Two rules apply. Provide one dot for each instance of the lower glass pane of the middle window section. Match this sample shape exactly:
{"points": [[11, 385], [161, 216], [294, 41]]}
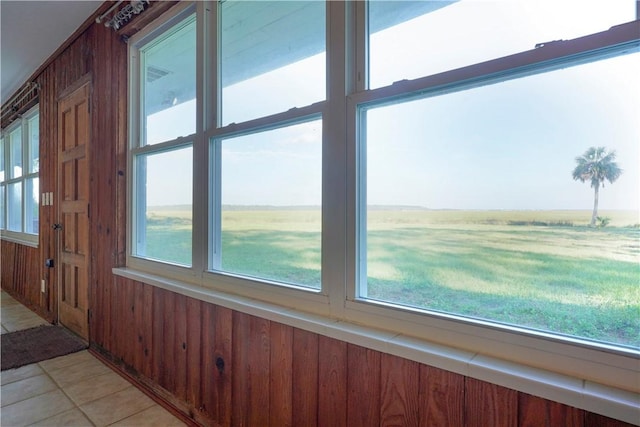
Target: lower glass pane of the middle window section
{"points": [[270, 196]]}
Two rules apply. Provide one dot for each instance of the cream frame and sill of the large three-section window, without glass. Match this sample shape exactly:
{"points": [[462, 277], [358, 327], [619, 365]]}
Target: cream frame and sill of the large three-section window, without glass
{"points": [[597, 377]]}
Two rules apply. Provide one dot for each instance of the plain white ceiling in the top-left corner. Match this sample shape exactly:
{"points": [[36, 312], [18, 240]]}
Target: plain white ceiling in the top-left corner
{"points": [[30, 31]]}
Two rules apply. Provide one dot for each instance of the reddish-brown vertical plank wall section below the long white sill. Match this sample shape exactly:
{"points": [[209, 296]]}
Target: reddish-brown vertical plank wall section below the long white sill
{"points": [[223, 367]]}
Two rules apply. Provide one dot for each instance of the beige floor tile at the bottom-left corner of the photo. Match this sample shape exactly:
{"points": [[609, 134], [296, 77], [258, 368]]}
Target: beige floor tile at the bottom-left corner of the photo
{"points": [[35, 409]]}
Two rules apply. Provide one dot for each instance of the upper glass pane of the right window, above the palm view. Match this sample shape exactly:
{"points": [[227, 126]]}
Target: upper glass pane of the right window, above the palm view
{"points": [[454, 34]]}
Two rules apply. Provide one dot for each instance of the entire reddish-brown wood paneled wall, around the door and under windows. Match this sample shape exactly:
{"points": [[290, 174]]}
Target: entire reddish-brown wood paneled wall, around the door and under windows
{"points": [[216, 365]]}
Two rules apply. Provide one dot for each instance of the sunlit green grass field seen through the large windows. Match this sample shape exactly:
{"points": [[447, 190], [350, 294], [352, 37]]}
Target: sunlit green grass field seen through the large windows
{"points": [[542, 269]]}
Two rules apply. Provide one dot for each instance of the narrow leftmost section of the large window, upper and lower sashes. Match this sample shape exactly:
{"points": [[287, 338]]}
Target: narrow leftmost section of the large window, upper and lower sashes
{"points": [[162, 153]]}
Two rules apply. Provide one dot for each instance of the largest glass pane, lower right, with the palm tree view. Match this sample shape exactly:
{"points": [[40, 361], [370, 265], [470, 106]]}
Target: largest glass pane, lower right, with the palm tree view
{"points": [[475, 207]]}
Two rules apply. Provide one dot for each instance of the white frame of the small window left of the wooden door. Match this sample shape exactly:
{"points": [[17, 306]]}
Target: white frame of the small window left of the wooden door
{"points": [[22, 237]]}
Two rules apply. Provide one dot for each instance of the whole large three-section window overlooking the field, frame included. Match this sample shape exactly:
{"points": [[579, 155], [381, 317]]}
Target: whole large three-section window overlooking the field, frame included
{"points": [[312, 155]]}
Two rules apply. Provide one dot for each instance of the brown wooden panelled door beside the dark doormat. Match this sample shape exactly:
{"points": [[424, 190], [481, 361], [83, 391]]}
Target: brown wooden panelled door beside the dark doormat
{"points": [[73, 210]]}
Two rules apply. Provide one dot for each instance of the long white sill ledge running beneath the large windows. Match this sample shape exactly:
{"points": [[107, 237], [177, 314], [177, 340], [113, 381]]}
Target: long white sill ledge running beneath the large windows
{"points": [[572, 391]]}
